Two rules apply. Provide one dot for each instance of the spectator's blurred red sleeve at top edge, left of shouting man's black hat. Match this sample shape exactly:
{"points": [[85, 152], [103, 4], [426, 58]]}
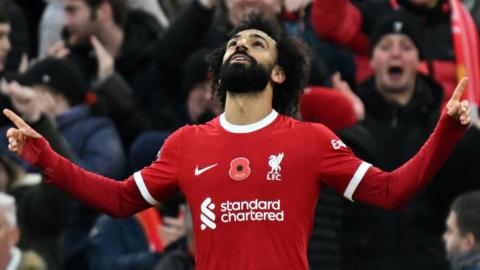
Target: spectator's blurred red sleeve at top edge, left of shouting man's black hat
{"points": [[341, 22]]}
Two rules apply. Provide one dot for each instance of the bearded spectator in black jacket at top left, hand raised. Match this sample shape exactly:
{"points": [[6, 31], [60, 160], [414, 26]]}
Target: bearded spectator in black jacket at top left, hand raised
{"points": [[129, 36]]}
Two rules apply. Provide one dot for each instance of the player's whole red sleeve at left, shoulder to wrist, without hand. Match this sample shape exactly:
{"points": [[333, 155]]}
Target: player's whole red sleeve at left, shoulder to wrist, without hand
{"points": [[116, 198]]}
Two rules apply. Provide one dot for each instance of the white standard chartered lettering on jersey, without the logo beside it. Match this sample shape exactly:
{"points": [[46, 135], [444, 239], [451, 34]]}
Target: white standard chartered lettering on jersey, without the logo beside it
{"points": [[254, 210]]}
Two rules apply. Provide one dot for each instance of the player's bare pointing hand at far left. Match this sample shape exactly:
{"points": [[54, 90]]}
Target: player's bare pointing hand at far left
{"points": [[18, 135]]}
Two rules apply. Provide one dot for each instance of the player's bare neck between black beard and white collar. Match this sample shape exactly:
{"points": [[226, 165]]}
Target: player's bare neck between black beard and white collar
{"points": [[245, 109]]}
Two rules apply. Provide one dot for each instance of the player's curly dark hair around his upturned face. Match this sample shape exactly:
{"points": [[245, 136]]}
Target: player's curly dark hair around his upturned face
{"points": [[293, 57]]}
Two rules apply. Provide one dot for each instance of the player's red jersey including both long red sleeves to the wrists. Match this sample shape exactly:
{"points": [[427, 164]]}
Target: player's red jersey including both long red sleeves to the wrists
{"points": [[251, 189]]}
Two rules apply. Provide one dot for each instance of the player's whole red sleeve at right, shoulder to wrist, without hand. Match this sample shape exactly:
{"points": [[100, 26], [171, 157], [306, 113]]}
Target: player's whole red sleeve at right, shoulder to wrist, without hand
{"points": [[360, 181]]}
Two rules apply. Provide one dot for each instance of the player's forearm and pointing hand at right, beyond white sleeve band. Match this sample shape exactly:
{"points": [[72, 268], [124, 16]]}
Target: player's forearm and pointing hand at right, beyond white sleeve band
{"points": [[394, 189]]}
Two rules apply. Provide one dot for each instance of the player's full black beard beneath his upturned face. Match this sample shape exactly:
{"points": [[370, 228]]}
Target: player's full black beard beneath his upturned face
{"points": [[241, 78]]}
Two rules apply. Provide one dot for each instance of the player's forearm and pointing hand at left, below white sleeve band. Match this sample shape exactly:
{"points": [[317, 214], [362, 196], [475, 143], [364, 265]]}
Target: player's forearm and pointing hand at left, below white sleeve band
{"points": [[116, 198]]}
